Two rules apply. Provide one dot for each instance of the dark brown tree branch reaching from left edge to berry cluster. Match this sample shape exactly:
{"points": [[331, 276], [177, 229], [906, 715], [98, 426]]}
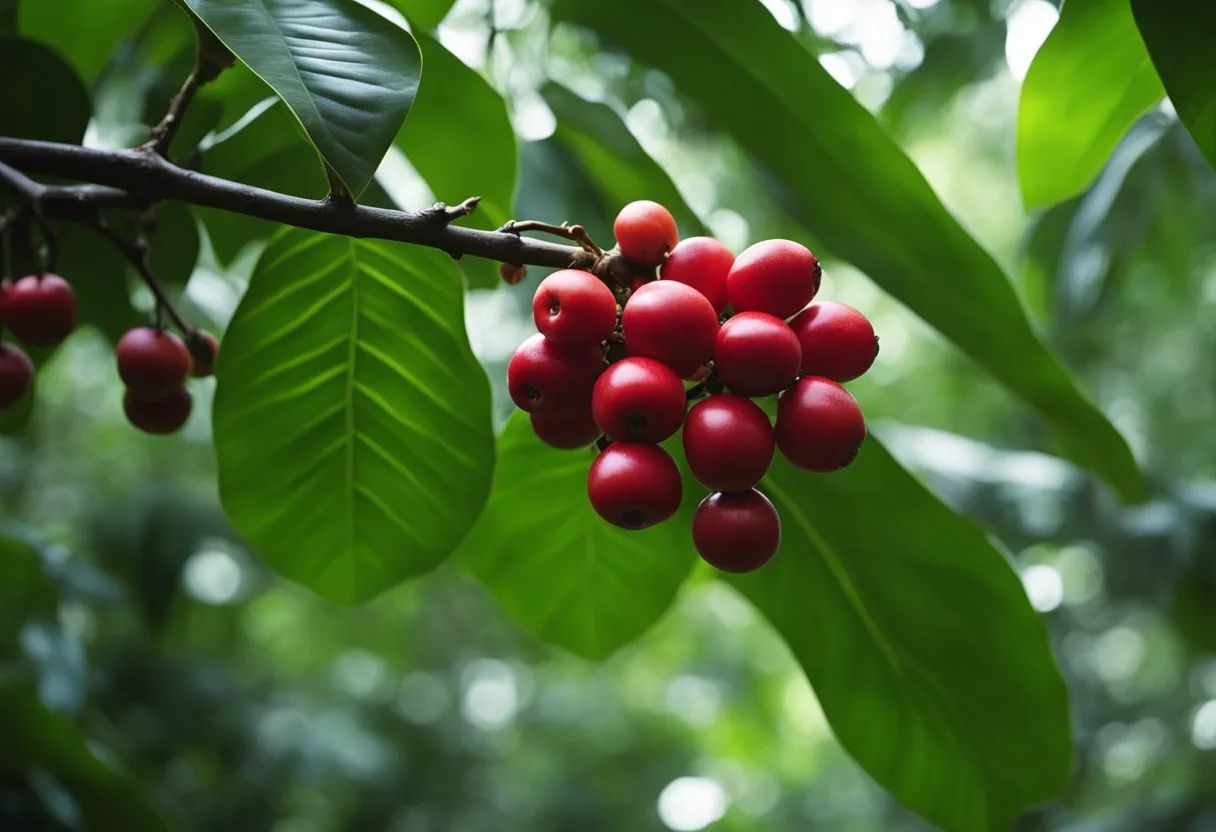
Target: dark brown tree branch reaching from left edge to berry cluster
{"points": [[140, 178]]}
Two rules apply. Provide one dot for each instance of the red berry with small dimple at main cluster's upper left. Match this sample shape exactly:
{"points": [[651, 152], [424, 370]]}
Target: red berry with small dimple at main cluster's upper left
{"points": [[575, 308]]}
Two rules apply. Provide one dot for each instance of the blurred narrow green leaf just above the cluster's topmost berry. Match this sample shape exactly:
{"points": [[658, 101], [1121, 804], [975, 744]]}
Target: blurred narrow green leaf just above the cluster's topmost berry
{"points": [[612, 159]]}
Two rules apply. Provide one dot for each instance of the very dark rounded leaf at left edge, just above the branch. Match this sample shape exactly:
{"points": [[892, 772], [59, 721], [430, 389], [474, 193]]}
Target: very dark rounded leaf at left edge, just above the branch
{"points": [[35, 75]]}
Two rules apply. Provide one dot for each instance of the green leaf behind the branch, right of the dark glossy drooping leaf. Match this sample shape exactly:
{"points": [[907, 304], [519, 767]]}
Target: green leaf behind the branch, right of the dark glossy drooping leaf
{"points": [[460, 140]]}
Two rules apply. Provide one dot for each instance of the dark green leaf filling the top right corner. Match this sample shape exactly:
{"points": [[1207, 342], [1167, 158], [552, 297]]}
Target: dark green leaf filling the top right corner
{"points": [[1179, 35]]}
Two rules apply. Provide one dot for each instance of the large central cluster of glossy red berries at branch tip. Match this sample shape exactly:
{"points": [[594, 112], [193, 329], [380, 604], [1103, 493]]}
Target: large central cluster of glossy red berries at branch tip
{"points": [[741, 328]]}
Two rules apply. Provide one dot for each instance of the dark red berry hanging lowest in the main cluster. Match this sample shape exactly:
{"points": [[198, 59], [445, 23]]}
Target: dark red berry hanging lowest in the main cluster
{"points": [[736, 532]]}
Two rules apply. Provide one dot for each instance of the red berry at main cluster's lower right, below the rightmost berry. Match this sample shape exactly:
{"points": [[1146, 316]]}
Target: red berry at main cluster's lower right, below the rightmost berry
{"points": [[820, 426]]}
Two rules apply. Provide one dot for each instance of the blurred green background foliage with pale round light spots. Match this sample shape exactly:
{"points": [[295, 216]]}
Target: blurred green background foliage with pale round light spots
{"points": [[234, 701]]}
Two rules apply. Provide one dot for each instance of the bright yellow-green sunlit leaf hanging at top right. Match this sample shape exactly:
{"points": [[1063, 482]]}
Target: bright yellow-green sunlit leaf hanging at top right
{"points": [[1089, 83]]}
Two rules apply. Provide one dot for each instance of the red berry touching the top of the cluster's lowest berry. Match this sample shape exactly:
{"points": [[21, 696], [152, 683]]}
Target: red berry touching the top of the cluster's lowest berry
{"points": [[729, 442]]}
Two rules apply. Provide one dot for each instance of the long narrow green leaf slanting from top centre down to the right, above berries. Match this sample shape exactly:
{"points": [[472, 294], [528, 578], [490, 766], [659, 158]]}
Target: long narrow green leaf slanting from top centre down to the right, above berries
{"points": [[860, 195]]}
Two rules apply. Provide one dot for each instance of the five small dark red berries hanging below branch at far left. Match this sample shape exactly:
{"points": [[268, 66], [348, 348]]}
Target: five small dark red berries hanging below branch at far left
{"points": [[41, 311]]}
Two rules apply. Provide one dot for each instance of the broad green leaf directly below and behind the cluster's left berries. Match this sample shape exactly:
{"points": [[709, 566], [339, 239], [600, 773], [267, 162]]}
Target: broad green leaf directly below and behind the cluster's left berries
{"points": [[559, 569]]}
